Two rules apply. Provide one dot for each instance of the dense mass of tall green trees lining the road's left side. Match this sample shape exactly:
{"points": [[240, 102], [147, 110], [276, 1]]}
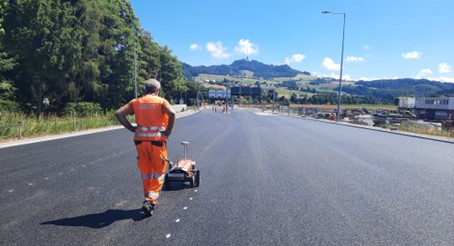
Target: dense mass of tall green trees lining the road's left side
{"points": [[62, 52]]}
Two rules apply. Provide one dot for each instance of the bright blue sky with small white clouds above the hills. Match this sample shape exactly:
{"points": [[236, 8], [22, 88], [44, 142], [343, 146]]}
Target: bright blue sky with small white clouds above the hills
{"points": [[383, 39]]}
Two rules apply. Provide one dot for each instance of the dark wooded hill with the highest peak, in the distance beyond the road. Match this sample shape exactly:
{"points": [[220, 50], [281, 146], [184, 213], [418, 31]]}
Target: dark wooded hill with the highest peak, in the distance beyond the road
{"points": [[238, 68]]}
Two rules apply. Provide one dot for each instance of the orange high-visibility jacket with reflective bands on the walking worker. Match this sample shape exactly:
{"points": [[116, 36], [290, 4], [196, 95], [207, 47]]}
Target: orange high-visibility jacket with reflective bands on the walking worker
{"points": [[150, 117]]}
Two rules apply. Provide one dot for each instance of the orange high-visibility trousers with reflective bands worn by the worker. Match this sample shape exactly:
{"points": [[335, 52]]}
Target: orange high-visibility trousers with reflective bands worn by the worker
{"points": [[152, 164]]}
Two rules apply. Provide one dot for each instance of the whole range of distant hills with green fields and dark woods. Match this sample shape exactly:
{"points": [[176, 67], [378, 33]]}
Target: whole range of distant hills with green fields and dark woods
{"points": [[302, 86]]}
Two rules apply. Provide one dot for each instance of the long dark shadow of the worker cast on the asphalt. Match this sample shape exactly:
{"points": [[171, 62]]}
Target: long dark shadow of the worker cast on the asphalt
{"points": [[99, 220]]}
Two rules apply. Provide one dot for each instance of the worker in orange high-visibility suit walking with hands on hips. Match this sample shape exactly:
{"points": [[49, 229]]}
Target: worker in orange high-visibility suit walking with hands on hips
{"points": [[155, 119]]}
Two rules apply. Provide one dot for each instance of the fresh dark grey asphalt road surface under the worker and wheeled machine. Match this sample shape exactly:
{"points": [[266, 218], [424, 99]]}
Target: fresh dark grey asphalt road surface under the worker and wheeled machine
{"points": [[265, 180]]}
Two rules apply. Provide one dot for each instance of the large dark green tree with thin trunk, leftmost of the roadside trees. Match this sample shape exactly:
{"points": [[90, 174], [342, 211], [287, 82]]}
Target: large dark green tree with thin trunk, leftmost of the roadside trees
{"points": [[46, 37]]}
